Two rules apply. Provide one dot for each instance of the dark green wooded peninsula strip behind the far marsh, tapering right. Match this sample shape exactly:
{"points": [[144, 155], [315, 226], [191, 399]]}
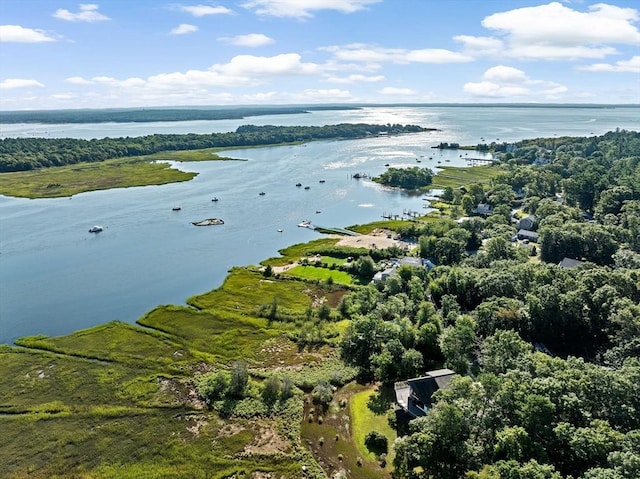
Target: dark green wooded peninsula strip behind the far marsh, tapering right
{"points": [[22, 154]]}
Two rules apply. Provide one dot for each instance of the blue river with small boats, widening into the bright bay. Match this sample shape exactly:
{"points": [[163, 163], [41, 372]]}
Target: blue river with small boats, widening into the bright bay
{"points": [[56, 277]]}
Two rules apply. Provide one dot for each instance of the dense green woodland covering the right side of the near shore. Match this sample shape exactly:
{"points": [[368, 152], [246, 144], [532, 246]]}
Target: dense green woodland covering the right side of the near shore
{"points": [[548, 356]]}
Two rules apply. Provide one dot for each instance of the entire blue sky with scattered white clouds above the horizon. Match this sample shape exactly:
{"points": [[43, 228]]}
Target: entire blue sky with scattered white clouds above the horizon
{"points": [[124, 53]]}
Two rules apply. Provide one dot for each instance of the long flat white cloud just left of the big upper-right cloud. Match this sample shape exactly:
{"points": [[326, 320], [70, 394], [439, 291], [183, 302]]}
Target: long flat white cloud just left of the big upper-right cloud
{"points": [[373, 54]]}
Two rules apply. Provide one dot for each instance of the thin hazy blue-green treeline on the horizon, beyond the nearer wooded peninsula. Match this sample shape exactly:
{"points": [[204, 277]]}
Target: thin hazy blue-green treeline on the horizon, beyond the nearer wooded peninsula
{"points": [[126, 115]]}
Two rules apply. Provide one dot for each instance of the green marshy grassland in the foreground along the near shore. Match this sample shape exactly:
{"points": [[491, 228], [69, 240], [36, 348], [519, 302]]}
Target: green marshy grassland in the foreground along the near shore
{"points": [[120, 400]]}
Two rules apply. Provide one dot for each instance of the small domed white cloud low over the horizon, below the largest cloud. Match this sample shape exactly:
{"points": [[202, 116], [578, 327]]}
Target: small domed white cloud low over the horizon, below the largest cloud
{"points": [[508, 82]]}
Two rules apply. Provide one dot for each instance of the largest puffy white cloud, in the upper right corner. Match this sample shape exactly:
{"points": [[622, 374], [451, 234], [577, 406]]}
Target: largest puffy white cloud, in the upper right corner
{"points": [[555, 31]]}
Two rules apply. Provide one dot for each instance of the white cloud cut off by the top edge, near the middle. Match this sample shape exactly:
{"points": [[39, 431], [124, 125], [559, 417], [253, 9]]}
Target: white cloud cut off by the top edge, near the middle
{"points": [[304, 8]]}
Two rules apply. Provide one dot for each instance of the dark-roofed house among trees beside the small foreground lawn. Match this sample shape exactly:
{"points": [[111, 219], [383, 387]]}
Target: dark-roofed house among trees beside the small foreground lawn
{"points": [[414, 396]]}
